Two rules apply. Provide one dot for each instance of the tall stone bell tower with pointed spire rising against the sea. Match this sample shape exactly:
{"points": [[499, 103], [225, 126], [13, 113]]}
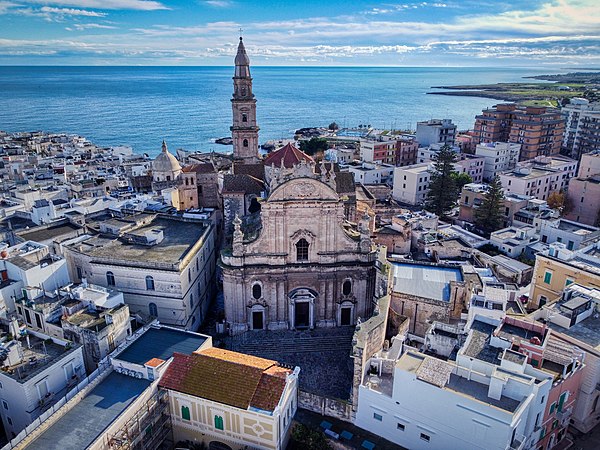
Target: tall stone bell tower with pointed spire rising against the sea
{"points": [[244, 130]]}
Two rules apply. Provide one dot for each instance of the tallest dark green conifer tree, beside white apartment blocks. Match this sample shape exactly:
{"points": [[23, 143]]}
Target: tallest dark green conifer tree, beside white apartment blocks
{"points": [[443, 192]]}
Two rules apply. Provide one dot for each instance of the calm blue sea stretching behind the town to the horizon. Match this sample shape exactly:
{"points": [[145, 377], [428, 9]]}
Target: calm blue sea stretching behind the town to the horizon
{"points": [[190, 106]]}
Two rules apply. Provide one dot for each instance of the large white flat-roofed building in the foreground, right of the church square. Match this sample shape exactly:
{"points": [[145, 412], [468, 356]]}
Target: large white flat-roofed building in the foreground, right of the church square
{"points": [[421, 402]]}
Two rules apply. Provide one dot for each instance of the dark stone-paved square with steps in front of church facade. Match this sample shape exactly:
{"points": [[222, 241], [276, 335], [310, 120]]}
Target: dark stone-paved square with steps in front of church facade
{"points": [[323, 356]]}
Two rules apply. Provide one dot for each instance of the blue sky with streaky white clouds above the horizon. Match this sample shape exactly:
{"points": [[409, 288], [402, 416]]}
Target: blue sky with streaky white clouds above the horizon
{"points": [[530, 33]]}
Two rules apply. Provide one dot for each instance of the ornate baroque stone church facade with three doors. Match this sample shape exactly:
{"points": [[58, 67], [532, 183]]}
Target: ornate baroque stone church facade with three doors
{"points": [[306, 268]]}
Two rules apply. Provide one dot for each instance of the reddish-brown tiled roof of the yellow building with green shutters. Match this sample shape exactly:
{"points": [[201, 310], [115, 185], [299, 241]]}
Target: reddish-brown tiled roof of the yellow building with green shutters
{"points": [[231, 378]]}
